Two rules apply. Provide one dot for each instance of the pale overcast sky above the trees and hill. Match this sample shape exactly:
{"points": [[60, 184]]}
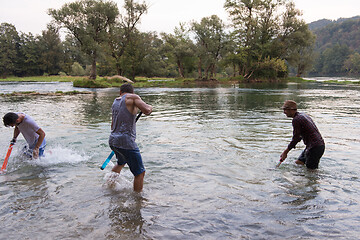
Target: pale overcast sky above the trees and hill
{"points": [[165, 15]]}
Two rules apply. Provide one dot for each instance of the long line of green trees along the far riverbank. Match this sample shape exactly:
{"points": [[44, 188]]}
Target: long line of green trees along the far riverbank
{"points": [[265, 38]]}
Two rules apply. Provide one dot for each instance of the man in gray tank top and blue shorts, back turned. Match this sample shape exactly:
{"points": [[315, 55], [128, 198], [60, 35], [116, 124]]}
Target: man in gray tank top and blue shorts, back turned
{"points": [[123, 133]]}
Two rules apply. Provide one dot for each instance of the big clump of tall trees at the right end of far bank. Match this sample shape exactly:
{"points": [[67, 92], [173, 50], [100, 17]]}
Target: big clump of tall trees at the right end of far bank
{"points": [[262, 33]]}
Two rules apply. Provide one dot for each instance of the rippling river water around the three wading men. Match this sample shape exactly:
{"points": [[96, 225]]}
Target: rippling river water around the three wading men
{"points": [[210, 155]]}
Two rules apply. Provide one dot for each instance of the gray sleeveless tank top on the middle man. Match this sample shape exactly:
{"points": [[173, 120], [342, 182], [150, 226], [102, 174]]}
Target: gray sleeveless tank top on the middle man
{"points": [[123, 132]]}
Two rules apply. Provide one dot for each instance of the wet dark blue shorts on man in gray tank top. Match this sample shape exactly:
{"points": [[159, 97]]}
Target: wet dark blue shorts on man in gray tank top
{"points": [[131, 157]]}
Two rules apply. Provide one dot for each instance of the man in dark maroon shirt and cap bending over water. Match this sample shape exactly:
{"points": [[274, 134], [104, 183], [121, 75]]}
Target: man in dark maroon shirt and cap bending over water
{"points": [[304, 129]]}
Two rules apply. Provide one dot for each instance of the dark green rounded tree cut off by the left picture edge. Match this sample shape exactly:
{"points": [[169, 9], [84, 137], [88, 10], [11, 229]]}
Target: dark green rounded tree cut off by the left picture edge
{"points": [[9, 40]]}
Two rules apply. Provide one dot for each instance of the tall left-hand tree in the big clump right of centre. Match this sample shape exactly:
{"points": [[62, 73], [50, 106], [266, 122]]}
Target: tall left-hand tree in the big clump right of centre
{"points": [[255, 23]]}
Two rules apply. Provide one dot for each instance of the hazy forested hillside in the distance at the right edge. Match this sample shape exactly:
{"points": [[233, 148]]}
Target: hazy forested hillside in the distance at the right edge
{"points": [[337, 47]]}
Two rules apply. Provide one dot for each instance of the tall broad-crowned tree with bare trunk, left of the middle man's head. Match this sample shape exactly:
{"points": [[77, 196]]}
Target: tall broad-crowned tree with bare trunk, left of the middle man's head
{"points": [[89, 21]]}
